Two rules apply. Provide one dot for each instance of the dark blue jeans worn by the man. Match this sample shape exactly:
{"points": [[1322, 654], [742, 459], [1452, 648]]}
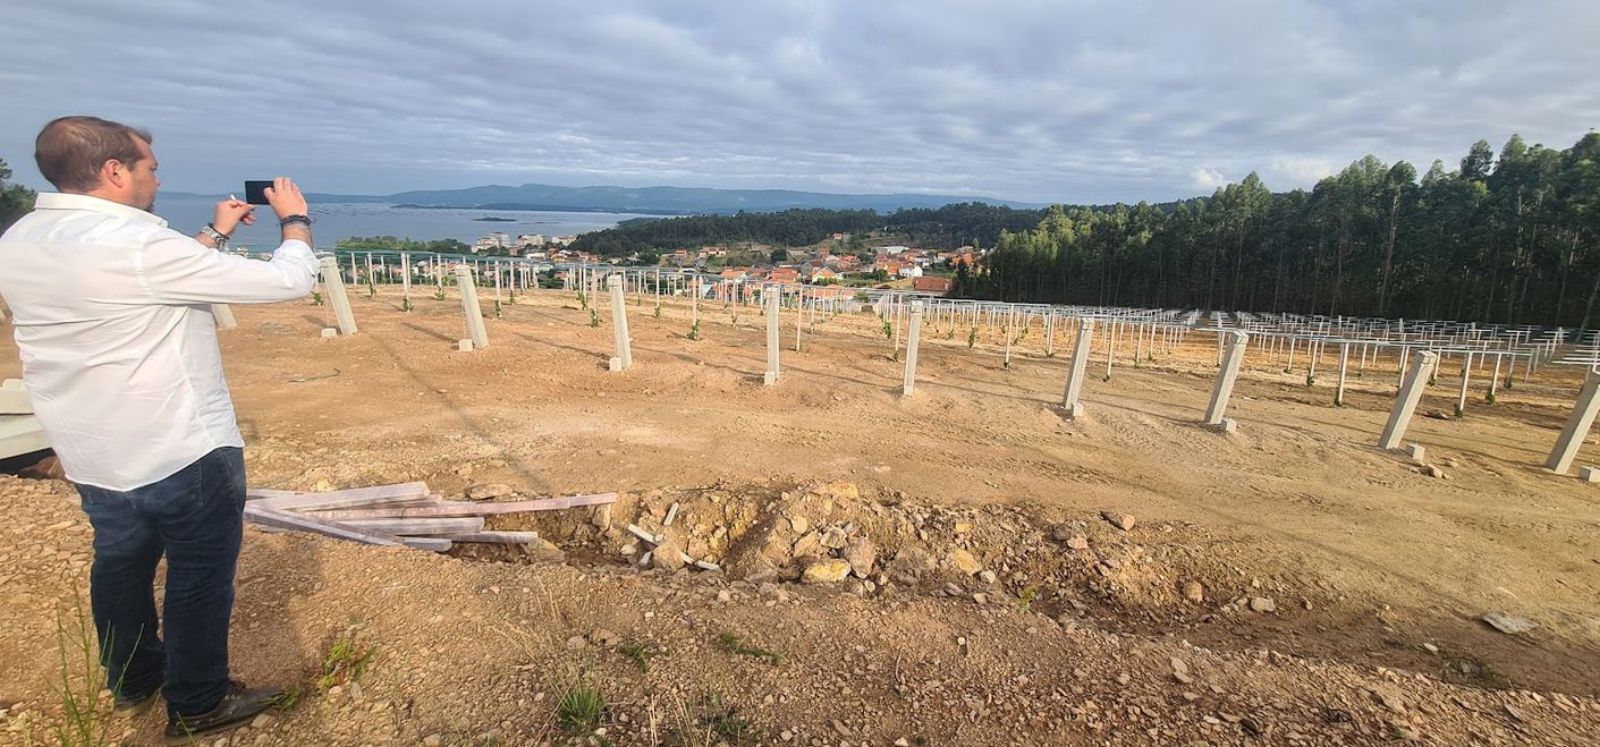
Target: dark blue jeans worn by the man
{"points": [[196, 519]]}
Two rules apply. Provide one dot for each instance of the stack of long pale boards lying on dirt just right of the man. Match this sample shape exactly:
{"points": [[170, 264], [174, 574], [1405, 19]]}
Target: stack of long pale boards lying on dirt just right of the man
{"points": [[407, 514]]}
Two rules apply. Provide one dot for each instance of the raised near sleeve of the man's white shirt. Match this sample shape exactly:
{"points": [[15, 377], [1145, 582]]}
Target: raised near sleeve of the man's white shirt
{"points": [[177, 270]]}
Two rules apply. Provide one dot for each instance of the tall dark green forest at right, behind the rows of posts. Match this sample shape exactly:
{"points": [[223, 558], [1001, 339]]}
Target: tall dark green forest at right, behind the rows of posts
{"points": [[1510, 239]]}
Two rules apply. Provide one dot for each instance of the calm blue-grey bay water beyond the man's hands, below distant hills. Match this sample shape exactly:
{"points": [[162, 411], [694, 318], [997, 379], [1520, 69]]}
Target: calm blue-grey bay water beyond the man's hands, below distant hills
{"points": [[337, 222]]}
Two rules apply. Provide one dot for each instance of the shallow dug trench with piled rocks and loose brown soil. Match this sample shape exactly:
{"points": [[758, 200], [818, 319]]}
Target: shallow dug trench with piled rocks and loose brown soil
{"points": [[1108, 572]]}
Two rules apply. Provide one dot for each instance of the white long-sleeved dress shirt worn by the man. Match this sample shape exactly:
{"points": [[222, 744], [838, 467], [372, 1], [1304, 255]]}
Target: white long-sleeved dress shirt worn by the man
{"points": [[118, 340]]}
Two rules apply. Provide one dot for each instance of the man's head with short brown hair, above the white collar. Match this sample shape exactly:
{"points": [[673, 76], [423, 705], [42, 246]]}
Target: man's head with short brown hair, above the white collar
{"points": [[71, 151]]}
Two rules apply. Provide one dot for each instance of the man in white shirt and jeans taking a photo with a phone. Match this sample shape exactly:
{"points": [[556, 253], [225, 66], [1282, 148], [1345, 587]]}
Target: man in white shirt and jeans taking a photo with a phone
{"points": [[121, 359]]}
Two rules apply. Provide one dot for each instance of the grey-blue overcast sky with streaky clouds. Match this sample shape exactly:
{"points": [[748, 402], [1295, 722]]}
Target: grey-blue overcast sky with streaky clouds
{"points": [[1041, 102]]}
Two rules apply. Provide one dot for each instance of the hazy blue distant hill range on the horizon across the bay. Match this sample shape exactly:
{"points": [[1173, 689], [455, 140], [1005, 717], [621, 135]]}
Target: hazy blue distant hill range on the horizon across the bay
{"points": [[654, 201]]}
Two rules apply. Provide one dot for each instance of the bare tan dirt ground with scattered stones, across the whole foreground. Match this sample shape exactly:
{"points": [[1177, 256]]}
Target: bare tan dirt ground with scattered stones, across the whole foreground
{"points": [[1286, 585]]}
